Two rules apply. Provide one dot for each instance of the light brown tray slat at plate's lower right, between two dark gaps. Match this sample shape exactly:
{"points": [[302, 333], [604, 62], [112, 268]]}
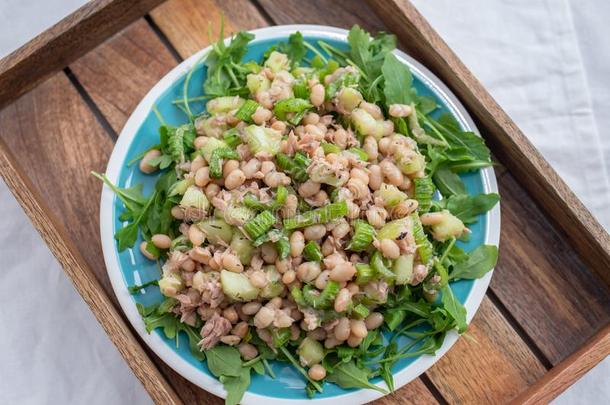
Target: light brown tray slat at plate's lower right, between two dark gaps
{"points": [[489, 365]]}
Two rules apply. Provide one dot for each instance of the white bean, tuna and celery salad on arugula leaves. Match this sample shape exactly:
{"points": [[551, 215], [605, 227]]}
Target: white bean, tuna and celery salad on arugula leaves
{"points": [[309, 215]]}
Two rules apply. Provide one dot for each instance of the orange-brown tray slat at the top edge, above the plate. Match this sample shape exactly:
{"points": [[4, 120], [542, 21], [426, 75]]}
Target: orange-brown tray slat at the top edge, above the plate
{"points": [[187, 23]]}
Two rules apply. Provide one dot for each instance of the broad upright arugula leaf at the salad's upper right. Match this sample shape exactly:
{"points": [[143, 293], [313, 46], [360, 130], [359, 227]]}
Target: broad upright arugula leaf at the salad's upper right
{"points": [[397, 81]]}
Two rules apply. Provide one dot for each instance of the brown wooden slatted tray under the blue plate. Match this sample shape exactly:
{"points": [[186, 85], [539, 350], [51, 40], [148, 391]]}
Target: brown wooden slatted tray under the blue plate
{"points": [[545, 319]]}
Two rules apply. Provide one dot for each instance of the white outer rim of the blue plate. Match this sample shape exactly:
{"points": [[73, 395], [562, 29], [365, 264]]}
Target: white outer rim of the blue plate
{"points": [[181, 366]]}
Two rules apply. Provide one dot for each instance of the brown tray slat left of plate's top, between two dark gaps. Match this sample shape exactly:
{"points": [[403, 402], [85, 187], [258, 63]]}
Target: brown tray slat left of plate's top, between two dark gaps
{"points": [[118, 73]]}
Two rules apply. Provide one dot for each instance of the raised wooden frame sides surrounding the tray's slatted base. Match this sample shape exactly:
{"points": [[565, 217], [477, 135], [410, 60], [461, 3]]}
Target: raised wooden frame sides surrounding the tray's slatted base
{"points": [[100, 19]]}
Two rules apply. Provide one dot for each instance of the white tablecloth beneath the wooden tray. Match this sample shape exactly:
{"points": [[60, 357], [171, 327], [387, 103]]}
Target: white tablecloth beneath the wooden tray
{"points": [[545, 61]]}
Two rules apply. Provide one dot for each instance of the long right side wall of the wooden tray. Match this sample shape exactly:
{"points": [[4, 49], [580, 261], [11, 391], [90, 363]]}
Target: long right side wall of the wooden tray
{"points": [[511, 146]]}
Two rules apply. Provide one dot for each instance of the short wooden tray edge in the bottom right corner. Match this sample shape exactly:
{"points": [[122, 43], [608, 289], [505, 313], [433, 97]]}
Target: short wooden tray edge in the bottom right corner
{"points": [[568, 371]]}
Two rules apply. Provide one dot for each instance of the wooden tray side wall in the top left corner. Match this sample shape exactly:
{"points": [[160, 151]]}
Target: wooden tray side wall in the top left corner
{"points": [[64, 42]]}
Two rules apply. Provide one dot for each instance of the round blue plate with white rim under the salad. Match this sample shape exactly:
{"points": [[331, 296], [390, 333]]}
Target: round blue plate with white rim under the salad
{"points": [[130, 267]]}
